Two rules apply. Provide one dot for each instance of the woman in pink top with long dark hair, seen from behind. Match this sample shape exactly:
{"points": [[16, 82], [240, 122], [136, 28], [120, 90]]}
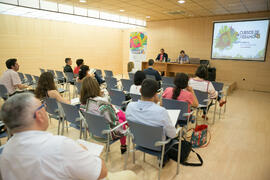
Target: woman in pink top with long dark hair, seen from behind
{"points": [[181, 91]]}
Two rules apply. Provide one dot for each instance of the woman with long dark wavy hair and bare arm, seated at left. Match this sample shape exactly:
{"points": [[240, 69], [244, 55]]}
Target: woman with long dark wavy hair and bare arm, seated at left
{"points": [[46, 88]]}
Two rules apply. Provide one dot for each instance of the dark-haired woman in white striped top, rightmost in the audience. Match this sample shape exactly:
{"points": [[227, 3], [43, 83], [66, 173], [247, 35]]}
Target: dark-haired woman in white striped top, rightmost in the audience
{"points": [[200, 83]]}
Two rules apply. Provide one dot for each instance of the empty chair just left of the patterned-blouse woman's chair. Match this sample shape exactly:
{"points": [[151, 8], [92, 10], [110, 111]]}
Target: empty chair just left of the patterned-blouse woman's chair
{"points": [[72, 114]]}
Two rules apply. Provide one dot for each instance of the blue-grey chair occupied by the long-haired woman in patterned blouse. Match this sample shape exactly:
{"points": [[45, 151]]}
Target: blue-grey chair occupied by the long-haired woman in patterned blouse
{"points": [[99, 131]]}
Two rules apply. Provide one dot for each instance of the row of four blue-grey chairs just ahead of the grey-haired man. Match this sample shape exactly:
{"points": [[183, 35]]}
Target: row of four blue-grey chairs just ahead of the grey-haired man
{"points": [[148, 139]]}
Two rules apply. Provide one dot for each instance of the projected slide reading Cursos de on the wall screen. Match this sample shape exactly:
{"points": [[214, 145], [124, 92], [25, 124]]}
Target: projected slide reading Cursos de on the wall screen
{"points": [[240, 40]]}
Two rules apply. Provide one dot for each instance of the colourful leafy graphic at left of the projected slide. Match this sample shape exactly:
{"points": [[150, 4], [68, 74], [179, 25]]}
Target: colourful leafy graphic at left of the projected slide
{"points": [[226, 37]]}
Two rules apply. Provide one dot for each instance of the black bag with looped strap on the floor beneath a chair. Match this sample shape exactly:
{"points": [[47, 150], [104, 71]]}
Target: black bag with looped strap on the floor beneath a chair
{"points": [[186, 148]]}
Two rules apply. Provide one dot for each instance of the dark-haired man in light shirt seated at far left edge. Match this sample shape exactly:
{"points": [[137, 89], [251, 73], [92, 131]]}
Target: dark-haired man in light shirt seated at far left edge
{"points": [[10, 77]]}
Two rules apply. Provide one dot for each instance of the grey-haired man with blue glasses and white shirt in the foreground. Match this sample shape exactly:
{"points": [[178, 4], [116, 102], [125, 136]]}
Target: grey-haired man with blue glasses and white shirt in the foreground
{"points": [[33, 153]]}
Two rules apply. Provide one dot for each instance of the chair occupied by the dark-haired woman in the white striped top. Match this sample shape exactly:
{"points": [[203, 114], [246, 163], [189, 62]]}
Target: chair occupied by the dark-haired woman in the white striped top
{"points": [[203, 101]]}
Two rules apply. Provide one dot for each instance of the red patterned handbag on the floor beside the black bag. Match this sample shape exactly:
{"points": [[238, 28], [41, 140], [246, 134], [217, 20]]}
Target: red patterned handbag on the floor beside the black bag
{"points": [[199, 136]]}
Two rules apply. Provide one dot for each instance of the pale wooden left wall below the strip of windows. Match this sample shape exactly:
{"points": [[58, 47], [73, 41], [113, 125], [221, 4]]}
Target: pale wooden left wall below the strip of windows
{"points": [[42, 43]]}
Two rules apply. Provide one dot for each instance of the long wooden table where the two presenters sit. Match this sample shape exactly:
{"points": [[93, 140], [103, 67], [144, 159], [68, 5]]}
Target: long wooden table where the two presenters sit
{"points": [[171, 69]]}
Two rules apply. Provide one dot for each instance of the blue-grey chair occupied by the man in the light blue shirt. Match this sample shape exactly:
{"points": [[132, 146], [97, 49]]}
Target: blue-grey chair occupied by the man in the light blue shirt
{"points": [[148, 139]]}
